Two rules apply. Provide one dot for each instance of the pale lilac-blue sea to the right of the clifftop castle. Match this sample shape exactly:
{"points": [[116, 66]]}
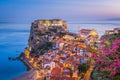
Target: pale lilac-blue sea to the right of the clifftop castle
{"points": [[100, 26]]}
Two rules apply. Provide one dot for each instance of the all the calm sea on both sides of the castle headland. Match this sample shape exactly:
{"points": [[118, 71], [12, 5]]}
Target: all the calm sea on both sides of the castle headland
{"points": [[14, 39]]}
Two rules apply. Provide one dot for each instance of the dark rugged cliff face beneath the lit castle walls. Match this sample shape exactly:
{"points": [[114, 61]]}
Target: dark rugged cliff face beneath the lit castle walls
{"points": [[41, 36]]}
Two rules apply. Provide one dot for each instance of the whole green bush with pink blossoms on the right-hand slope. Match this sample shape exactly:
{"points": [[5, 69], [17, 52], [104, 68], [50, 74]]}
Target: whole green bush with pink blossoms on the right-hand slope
{"points": [[108, 59]]}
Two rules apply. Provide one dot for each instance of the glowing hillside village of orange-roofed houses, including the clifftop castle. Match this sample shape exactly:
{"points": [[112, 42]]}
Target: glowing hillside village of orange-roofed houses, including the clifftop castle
{"points": [[66, 53]]}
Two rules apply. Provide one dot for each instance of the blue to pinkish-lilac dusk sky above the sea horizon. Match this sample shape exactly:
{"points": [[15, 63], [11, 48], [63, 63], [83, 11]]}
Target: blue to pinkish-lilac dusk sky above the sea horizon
{"points": [[28, 10]]}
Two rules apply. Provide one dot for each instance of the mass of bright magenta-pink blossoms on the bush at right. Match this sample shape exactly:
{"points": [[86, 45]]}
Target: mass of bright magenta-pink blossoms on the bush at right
{"points": [[109, 59]]}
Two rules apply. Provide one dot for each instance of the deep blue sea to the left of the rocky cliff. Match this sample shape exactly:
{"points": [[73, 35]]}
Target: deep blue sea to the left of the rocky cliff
{"points": [[13, 40]]}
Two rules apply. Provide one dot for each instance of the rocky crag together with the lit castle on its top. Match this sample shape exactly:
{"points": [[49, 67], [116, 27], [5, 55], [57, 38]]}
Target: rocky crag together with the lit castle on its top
{"points": [[43, 31]]}
